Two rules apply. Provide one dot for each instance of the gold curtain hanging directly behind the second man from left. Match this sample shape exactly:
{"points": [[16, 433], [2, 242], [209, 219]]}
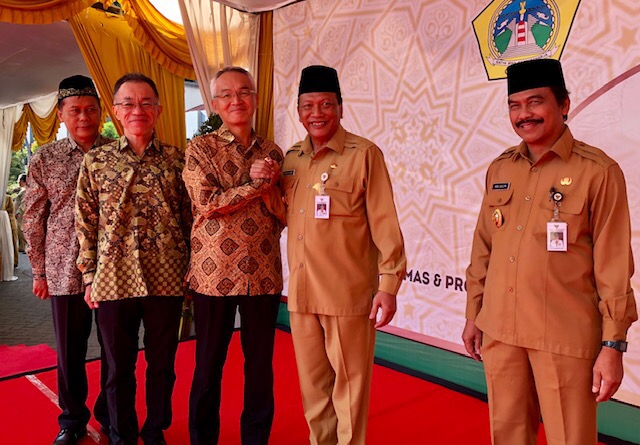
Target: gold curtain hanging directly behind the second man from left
{"points": [[110, 51]]}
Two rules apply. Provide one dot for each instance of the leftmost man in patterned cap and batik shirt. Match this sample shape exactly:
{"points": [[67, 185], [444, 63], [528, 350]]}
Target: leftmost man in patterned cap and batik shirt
{"points": [[52, 246]]}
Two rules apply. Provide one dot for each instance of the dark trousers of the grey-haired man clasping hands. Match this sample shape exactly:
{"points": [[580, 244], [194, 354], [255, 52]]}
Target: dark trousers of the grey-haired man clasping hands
{"points": [[214, 322]]}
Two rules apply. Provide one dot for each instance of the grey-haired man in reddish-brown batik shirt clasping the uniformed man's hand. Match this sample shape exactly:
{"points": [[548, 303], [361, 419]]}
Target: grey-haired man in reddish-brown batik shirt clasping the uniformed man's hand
{"points": [[235, 260]]}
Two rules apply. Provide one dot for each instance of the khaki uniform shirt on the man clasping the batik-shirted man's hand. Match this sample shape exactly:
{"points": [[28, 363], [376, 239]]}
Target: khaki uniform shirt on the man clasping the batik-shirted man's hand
{"points": [[338, 264]]}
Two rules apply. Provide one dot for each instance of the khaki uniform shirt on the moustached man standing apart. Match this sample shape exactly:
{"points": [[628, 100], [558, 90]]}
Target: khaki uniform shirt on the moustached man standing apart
{"points": [[562, 302]]}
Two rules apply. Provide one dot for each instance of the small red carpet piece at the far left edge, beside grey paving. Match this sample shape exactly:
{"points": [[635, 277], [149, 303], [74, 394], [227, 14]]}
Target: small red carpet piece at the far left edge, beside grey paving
{"points": [[21, 359]]}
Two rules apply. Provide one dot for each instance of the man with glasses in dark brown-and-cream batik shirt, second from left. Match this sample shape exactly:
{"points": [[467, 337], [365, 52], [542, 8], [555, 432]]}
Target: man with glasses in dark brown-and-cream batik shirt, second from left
{"points": [[133, 220]]}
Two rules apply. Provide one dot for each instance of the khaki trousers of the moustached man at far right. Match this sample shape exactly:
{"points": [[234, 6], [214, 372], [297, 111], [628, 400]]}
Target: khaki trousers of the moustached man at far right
{"points": [[524, 383]]}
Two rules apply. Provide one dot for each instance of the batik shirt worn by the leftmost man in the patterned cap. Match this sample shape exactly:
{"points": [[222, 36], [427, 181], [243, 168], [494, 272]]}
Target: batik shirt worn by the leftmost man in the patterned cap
{"points": [[48, 218]]}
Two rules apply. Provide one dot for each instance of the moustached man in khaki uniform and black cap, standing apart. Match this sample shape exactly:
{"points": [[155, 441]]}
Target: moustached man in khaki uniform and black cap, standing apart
{"points": [[550, 319]]}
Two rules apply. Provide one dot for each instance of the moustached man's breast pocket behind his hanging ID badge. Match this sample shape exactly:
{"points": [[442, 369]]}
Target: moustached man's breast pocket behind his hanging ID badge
{"points": [[572, 210]]}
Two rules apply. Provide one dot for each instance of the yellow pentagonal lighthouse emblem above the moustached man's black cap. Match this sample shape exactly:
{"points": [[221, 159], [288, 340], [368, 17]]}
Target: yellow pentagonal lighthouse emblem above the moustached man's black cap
{"points": [[510, 31]]}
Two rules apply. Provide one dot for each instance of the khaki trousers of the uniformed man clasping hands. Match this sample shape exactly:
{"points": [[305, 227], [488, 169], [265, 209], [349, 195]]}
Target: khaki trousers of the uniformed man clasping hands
{"points": [[334, 356]]}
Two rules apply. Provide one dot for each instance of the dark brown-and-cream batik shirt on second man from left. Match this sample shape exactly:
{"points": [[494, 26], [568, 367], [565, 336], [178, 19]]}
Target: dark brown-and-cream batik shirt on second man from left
{"points": [[133, 217]]}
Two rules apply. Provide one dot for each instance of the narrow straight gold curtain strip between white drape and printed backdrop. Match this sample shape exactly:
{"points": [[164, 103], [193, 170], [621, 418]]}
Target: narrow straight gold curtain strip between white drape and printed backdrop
{"points": [[264, 117]]}
